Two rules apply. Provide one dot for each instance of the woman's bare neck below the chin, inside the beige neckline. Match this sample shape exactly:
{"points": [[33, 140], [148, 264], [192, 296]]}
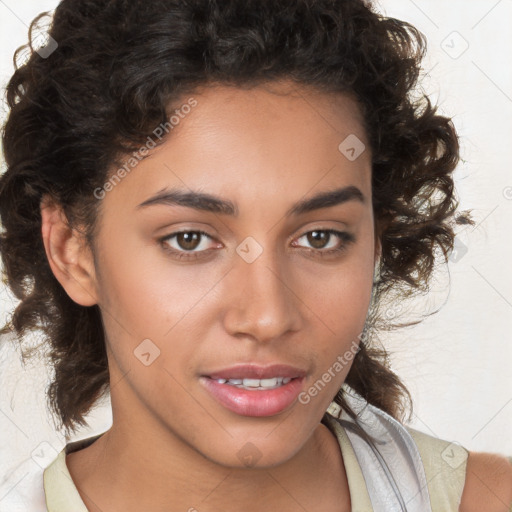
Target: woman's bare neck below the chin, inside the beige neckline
{"points": [[160, 473]]}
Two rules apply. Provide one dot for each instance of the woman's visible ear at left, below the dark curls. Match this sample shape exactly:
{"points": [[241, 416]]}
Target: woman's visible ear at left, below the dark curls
{"points": [[68, 254]]}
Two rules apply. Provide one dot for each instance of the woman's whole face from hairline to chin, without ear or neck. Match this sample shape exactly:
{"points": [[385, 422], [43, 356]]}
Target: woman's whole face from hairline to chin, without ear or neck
{"points": [[253, 279]]}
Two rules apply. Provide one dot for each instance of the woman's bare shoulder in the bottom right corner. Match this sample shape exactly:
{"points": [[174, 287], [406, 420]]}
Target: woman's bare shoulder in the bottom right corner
{"points": [[488, 484]]}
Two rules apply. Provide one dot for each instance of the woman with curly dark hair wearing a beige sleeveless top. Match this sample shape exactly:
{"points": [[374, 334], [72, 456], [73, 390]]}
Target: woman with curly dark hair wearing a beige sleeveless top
{"points": [[205, 202]]}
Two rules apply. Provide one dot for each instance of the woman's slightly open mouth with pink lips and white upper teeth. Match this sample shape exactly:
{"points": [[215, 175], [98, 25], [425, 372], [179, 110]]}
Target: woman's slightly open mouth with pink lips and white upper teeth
{"points": [[255, 391]]}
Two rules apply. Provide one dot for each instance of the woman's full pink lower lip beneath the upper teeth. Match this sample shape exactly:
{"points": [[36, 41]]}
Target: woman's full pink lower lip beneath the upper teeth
{"points": [[254, 403]]}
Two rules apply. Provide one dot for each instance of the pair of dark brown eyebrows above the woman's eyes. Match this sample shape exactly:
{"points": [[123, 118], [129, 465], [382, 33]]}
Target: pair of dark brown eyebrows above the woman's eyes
{"points": [[215, 204]]}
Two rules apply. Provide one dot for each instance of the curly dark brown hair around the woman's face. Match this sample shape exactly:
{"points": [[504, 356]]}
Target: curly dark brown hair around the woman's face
{"points": [[119, 66]]}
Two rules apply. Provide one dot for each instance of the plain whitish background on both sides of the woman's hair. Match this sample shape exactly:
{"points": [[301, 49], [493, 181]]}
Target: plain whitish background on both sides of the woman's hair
{"points": [[457, 363]]}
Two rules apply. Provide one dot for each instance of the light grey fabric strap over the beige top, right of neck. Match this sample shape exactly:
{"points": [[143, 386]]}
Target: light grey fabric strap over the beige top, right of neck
{"points": [[388, 457]]}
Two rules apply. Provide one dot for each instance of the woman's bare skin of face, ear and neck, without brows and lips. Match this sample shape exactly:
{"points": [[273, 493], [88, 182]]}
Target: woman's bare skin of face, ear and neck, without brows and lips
{"points": [[265, 151]]}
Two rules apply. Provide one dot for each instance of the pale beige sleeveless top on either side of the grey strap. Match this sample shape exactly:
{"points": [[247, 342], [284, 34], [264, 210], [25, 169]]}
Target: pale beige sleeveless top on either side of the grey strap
{"points": [[444, 463]]}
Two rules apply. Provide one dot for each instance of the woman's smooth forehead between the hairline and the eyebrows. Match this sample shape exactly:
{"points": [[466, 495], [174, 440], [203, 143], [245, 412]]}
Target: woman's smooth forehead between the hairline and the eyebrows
{"points": [[276, 140]]}
